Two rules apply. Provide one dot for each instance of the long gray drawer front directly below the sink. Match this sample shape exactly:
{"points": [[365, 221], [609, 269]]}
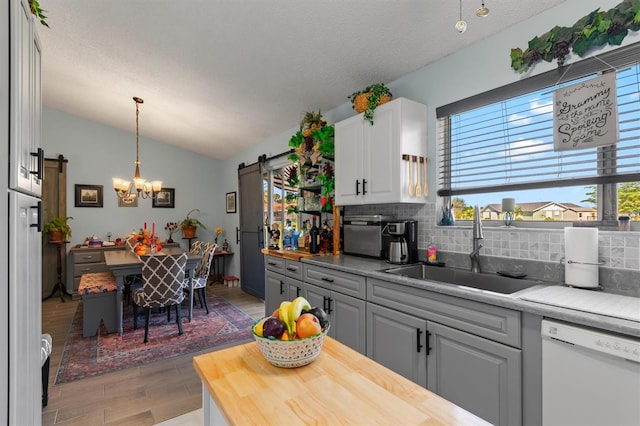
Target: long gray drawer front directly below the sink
{"points": [[493, 322]]}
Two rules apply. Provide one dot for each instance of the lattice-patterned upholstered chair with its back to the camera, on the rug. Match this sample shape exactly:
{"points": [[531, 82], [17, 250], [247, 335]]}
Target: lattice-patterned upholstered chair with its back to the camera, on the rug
{"points": [[163, 277]]}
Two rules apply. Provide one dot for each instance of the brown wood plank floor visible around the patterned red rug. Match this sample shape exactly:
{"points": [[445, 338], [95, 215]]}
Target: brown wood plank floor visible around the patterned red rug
{"points": [[143, 395]]}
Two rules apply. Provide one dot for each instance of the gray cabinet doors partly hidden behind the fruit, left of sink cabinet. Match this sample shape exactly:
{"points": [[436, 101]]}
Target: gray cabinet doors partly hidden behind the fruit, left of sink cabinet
{"points": [[346, 314]]}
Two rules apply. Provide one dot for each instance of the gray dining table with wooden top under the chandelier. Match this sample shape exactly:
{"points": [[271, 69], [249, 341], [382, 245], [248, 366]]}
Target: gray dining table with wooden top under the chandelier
{"points": [[124, 262]]}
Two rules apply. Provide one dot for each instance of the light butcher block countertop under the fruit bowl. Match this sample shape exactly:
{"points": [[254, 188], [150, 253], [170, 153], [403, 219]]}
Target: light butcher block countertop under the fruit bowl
{"points": [[340, 387]]}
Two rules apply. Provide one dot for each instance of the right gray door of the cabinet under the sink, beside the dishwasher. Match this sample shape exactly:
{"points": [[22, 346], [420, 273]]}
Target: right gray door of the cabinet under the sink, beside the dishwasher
{"points": [[477, 374]]}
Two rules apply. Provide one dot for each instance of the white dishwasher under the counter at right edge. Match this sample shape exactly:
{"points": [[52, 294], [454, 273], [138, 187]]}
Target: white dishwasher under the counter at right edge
{"points": [[589, 377]]}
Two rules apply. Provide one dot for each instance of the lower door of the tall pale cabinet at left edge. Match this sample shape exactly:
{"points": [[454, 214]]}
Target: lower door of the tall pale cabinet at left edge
{"points": [[25, 247]]}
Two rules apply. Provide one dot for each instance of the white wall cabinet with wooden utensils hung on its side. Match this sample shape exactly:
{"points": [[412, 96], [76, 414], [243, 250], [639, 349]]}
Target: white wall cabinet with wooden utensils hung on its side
{"points": [[369, 159]]}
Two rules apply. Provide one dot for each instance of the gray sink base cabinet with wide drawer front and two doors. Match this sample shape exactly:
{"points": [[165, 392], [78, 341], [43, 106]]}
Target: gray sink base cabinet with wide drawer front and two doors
{"points": [[465, 351]]}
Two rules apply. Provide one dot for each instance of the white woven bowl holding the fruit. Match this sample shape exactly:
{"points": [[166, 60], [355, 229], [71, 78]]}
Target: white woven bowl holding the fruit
{"points": [[290, 353]]}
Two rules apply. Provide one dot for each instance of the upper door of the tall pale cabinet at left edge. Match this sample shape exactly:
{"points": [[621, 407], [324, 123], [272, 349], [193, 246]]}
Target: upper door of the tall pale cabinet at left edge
{"points": [[25, 109]]}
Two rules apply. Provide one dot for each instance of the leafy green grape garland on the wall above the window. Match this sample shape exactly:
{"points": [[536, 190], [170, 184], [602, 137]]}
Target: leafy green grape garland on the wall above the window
{"points": [[596, 29]]}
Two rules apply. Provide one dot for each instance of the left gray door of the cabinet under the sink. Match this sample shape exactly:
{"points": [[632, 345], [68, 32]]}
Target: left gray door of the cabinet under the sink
{"points": [[398, 341]]}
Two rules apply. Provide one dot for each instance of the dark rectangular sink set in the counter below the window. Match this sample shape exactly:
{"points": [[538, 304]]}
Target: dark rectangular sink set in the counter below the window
{"points": [[462, 277]]}
